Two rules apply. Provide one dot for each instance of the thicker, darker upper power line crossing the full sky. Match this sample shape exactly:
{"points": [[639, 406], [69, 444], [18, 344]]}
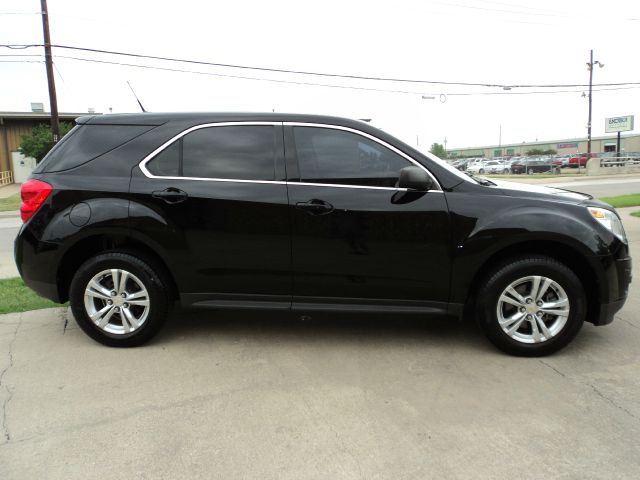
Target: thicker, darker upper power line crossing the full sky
{"points": [[317, 74]]}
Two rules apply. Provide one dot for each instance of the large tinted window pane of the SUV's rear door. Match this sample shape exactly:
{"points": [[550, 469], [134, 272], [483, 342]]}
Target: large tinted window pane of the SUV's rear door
{"points": [[235, 152]]}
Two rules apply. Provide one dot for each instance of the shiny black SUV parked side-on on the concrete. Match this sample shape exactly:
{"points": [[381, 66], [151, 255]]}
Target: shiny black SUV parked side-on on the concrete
{"points": [[129, 213]]}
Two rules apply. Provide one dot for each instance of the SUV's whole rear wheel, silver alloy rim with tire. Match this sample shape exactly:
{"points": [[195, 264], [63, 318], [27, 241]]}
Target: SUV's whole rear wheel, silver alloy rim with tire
{"points": [[118, 299]]}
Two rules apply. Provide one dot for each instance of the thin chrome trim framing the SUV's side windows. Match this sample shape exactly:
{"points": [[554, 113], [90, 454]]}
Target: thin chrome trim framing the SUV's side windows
{"points": [[155, 152]]}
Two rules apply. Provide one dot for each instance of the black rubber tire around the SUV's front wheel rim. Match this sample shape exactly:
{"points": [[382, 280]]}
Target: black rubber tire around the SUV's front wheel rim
{"points": [[505, 274]]}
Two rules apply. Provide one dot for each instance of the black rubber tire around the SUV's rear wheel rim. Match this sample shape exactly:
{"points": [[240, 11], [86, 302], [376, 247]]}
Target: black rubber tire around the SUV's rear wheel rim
{"points": [[142, 271]]}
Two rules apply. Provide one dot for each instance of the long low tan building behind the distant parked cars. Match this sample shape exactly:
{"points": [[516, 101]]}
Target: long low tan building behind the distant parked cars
{"points": [[628, 143]]}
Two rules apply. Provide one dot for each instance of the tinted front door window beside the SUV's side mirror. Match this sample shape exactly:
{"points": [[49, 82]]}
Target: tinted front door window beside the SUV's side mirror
{"points": [[339, 157]]}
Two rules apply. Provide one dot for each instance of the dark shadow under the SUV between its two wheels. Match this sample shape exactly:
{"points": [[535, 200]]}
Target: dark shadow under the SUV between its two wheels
{"points": [[281, 327]]}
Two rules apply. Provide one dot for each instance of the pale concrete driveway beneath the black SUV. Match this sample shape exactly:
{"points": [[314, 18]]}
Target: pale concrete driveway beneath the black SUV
{"points": [[341, 397]]}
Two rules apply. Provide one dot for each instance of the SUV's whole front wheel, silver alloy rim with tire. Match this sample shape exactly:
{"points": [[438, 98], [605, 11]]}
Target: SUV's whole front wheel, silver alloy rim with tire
{"points": [[531, 306]]}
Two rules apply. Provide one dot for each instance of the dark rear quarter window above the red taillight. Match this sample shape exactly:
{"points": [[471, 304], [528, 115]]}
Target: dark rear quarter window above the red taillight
{"points": [[87, 142]]}
